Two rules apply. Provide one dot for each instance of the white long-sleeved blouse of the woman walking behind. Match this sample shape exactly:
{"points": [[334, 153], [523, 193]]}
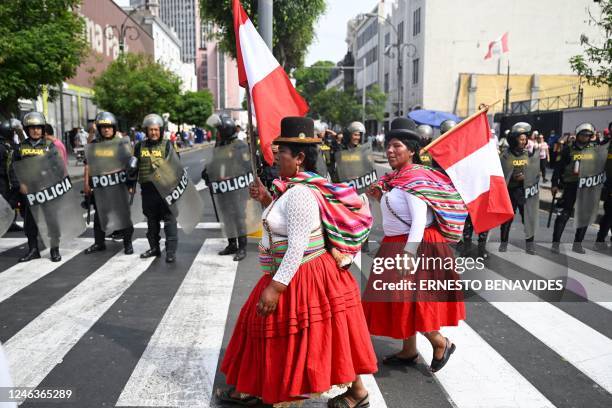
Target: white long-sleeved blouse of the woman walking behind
{"points": [[410, 209]]}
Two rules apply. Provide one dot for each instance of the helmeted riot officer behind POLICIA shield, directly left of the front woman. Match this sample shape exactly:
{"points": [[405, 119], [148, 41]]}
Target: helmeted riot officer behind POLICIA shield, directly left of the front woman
{"points": [[226, 135]]}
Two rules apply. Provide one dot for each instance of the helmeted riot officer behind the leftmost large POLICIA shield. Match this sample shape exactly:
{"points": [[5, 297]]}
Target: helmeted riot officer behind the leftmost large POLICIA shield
{"points": [[35, 145]]}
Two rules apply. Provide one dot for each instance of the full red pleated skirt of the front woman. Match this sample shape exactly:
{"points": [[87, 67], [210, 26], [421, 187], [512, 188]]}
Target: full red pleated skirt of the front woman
{"points": [[315, 339]]}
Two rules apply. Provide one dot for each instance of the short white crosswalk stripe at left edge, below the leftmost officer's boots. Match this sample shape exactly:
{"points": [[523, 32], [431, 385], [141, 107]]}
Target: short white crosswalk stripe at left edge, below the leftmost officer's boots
{"points": [[20, 275]]}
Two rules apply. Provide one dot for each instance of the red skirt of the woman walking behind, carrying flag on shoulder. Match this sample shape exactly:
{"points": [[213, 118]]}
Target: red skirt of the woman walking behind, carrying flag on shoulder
{"points": [[399, 315]]}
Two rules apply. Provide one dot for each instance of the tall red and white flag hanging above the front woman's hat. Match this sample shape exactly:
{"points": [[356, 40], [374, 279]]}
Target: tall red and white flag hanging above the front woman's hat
{"points": [[272, 93]]}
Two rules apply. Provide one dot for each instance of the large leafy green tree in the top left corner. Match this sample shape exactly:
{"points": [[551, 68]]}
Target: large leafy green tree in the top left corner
{"points": [[42, 43]]}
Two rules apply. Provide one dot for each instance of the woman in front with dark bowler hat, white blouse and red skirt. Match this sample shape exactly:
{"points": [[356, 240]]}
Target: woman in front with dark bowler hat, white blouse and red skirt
{"points": [[302, 329]]}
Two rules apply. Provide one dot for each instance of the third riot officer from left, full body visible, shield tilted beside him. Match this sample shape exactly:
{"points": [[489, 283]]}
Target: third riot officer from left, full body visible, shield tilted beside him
{"points": [[149, 153]]}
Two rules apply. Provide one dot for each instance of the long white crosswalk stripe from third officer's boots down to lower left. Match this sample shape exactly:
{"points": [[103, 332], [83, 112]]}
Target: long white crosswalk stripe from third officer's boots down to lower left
{"points": [[42, 344]]}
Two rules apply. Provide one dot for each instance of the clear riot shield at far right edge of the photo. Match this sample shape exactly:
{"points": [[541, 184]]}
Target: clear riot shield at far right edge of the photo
{"points": [[592, 177]]}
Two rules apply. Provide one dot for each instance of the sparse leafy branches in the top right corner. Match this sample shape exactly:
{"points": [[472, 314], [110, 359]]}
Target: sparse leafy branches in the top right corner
{"points": [[596, 63]]}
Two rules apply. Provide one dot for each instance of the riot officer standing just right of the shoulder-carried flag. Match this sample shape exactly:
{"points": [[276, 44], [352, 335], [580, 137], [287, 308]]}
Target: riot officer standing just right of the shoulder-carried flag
{"points": [[514, 160]]}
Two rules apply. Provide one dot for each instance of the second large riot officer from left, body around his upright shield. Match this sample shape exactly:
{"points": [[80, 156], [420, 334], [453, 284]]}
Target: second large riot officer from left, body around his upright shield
{"points": [[108, 119]]}
